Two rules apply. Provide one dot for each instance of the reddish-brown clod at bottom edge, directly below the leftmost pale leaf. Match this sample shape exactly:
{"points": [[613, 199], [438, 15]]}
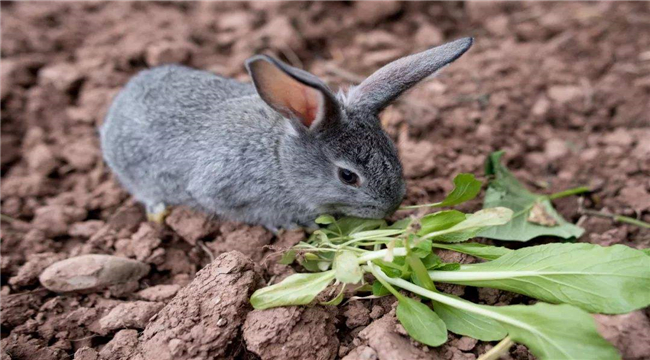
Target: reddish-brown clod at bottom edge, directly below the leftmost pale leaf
{"points": [[292, 333]]}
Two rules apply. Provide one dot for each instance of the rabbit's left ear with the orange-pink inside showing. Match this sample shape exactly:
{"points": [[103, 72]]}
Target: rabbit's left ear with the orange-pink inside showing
{"points": [[294, 93]]}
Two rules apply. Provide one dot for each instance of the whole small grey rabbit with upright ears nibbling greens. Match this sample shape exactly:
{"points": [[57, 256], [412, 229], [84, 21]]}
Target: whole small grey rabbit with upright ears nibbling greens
{"points": [[277, 152]]}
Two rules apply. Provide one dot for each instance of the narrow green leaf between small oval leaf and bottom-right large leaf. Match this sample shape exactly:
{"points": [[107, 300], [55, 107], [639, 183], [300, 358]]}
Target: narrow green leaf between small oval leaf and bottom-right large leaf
{"points": [[469, 324]]}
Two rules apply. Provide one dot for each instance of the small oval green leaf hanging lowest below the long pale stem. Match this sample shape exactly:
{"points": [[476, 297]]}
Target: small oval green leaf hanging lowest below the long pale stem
{"points": [[421, 323]]}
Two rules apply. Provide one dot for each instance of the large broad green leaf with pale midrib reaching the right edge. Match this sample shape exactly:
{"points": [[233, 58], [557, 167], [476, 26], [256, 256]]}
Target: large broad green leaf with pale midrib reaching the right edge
{"points": [[612, 280]]}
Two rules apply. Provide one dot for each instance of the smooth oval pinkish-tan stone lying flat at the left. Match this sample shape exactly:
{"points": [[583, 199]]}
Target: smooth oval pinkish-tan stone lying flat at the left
{"points": [[91, 272]]}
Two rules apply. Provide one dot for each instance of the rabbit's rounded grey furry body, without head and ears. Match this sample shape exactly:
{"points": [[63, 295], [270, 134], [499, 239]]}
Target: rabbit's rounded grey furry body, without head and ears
{"points": [[199, 164]]}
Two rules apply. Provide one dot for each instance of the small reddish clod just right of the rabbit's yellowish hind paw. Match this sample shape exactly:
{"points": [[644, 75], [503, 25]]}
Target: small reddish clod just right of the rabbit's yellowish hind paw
{"points": [[191, 225]]}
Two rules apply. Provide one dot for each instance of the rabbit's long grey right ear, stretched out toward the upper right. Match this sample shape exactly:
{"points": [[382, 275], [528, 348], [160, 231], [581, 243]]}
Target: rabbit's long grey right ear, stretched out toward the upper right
{"points": [[389, 82]]}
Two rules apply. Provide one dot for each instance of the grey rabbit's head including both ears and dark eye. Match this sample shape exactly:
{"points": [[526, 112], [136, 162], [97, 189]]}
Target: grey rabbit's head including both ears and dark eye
{"points": [[335, 156]]}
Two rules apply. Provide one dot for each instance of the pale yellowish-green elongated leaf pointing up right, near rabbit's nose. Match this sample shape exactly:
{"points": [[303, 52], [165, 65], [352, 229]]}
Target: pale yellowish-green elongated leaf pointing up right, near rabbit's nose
{"points": [[473, 223]]}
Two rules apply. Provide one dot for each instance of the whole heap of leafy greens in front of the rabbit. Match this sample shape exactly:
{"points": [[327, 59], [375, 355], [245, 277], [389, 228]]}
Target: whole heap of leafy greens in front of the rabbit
{"points": [[571, 280]]}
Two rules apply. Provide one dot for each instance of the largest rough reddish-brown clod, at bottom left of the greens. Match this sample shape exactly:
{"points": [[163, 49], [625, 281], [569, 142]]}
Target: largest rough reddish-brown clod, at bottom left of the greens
{"points": [[203, 320]]}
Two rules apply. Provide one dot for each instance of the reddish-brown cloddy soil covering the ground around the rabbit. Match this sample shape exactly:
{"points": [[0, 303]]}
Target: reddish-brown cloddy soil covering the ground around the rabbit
{"points": [[564, 88]]}
